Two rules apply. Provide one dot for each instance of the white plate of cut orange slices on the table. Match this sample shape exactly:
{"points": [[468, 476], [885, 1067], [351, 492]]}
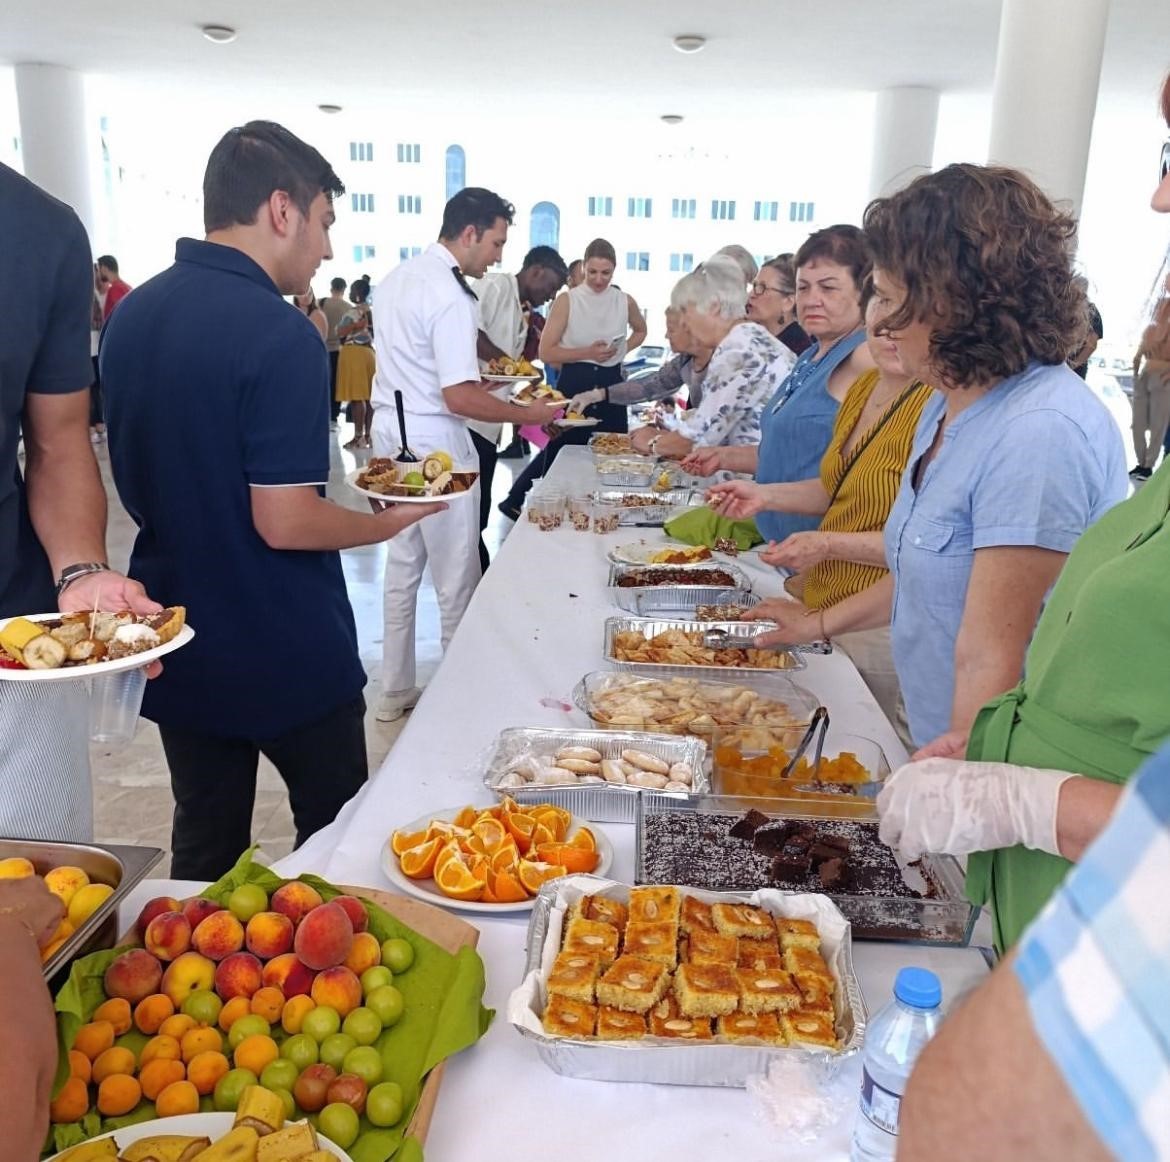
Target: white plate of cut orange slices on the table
{"points": [[492, 860]]}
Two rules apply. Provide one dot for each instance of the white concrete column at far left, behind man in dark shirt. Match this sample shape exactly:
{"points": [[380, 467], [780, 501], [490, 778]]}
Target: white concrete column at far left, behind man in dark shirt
{"points": [[53, 135]]}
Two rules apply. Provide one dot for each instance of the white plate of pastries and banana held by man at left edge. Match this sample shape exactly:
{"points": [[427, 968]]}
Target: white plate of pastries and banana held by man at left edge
{"points": [[45, 648]]}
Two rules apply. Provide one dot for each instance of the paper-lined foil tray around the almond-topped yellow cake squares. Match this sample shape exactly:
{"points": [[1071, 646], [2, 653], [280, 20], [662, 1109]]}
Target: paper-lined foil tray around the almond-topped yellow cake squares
{"points": [[662, 1062]]}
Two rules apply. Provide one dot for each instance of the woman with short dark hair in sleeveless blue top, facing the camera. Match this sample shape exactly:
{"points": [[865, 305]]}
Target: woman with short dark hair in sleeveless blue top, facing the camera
{"points": [[797, 423]]}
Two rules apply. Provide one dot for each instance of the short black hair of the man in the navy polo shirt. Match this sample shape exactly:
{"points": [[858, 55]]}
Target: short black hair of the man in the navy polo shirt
{"points": [[251, 163]]}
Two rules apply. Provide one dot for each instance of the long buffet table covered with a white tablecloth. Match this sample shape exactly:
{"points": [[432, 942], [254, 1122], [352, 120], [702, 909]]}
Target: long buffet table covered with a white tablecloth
{"points": [[534, 629]]}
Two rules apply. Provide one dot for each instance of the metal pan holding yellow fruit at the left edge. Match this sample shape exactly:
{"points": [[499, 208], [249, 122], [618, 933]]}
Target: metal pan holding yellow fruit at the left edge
{"points": [[120, 867]]}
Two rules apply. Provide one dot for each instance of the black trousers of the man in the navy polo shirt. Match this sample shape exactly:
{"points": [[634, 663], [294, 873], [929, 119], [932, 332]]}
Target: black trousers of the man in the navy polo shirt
{"points": [[215, 786]]}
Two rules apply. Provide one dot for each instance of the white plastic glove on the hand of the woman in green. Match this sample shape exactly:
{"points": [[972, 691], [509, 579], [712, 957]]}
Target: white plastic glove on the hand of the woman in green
{"points": [[958, 807]]}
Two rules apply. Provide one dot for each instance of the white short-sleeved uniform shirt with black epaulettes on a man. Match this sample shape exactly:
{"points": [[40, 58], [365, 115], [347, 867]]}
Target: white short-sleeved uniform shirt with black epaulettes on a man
{"points": [[425, 327]]}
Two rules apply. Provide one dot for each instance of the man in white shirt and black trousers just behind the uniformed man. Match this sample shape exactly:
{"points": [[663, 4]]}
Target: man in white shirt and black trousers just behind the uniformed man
{"points": [[507, 304]]}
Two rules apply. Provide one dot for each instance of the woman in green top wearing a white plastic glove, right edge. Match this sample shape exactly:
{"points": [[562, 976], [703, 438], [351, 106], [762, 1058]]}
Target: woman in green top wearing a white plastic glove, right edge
{"points": [[1047, 762]]}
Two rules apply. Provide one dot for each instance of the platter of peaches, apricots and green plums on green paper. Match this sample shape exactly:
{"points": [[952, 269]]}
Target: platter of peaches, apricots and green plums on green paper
{"points": [[281, 1000]]}
